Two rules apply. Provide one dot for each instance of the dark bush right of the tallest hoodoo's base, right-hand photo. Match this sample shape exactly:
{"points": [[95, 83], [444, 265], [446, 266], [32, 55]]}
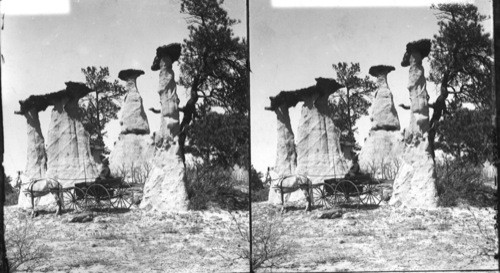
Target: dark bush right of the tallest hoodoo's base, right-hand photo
{"points": [[461, 182]]}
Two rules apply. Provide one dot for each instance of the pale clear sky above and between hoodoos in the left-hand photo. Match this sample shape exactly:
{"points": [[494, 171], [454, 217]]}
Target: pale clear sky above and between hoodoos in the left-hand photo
{"points": [[42, 52]]}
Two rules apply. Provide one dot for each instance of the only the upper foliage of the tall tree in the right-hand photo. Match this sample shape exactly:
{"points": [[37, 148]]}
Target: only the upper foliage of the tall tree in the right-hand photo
{"points": [[464, 51]]}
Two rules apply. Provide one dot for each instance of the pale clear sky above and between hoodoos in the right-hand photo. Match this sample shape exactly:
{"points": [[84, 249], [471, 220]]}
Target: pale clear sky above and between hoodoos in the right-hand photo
{"points": [[290, 47]]}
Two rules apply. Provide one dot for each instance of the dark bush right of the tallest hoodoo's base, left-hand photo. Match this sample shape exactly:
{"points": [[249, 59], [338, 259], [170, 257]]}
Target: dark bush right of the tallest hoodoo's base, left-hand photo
{"points": [[210, 184]]}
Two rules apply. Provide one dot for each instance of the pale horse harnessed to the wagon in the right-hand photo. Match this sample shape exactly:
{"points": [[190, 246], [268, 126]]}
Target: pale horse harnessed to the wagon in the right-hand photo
{"points": [[292, 183]]}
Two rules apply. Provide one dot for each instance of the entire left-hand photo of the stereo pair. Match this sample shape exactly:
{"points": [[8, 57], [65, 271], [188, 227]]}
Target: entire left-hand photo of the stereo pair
{"points": [[126, 136]]}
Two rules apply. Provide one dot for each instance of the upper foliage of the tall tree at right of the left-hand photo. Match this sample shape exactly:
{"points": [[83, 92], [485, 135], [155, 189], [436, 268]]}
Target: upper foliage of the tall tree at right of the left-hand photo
{"points": [[213, 60]]}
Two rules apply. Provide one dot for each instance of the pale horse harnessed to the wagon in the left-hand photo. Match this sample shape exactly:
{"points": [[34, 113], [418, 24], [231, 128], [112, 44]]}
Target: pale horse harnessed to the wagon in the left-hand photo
{"points": [[41, 187]]}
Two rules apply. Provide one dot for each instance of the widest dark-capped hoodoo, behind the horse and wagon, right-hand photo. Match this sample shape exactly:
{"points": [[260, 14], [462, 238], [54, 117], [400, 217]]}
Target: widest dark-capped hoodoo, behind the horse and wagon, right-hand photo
{"points": [[319, 154]]}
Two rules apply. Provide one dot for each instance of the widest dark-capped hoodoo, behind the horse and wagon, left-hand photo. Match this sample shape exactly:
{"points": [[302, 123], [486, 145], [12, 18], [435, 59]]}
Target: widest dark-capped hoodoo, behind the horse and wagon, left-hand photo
{"points": [[69, 159]]}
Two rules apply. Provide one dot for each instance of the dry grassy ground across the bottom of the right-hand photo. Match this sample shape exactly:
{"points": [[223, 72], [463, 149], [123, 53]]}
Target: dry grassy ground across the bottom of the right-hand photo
{"points": [[383, 238]]}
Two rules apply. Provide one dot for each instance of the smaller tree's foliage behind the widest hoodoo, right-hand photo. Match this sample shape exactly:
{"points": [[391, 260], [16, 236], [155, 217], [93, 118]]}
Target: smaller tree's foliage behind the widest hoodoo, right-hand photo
{"points": [[350, 102]]}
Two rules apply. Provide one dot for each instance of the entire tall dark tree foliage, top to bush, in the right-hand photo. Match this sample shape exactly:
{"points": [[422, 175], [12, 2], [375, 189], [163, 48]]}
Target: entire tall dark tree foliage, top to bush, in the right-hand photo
{"points": [[461, 64]]}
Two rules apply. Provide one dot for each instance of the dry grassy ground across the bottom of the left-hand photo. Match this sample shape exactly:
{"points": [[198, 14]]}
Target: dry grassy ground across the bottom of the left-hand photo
{"points": [[133, 241]]}
